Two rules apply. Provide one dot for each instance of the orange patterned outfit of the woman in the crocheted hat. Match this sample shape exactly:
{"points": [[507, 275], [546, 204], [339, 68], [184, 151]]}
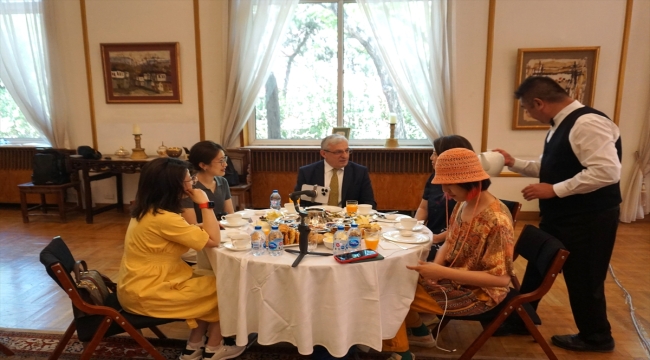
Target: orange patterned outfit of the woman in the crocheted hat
{"points": [[484, 244]]}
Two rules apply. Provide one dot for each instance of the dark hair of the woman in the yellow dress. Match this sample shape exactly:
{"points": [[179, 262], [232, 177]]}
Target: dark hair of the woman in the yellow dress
{"points": [[160, 187]]}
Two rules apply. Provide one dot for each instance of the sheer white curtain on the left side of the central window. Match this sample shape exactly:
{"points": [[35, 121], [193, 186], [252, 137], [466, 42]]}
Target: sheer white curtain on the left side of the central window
{"points": [[255, 28]]}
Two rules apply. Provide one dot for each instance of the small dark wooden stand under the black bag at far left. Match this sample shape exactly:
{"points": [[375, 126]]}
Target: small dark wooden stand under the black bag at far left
{"points": [[42, 190]]}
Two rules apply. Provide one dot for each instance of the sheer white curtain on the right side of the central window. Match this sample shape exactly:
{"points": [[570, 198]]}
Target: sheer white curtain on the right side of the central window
{"points": [[414, 39]]}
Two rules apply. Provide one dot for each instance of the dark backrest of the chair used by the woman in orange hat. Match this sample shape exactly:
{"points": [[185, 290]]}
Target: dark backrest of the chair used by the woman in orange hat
{"points": [[545, 252]]}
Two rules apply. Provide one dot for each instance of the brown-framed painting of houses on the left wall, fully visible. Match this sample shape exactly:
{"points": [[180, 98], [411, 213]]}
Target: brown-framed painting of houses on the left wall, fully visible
{"points": [[141, 73]]}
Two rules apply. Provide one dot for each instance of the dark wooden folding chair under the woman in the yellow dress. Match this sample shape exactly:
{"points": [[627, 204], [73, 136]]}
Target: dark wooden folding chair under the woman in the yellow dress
{"points": [[98, 321]]}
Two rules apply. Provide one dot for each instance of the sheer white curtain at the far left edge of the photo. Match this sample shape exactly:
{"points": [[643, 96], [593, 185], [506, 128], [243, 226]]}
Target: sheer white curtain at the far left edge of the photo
{"points": [[25, 67]]}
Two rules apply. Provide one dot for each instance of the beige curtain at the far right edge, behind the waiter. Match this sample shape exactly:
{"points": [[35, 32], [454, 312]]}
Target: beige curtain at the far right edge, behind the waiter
{"points": [[637, 197]]}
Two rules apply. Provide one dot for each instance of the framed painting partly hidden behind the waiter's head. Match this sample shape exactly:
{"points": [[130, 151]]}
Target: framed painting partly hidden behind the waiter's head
{"points": [[573, 68]]}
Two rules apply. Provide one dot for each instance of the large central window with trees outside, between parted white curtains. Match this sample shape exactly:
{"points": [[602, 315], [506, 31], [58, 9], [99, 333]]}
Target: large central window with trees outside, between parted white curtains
{"points": [[306, 95]]}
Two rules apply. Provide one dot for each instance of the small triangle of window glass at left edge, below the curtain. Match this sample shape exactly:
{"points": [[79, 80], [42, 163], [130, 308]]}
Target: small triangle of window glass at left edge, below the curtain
{"points": [[13, 126]]}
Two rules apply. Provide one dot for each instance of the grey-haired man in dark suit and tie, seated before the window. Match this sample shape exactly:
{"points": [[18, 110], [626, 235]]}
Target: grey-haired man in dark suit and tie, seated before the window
{"points": [[351, 181]]}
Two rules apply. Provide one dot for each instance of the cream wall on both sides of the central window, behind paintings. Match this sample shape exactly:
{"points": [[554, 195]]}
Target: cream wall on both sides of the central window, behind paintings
{"points": [[518, 24]]}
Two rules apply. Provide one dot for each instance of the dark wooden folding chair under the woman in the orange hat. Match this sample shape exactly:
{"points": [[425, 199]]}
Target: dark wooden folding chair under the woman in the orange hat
{"points": [[548, 254]]}
